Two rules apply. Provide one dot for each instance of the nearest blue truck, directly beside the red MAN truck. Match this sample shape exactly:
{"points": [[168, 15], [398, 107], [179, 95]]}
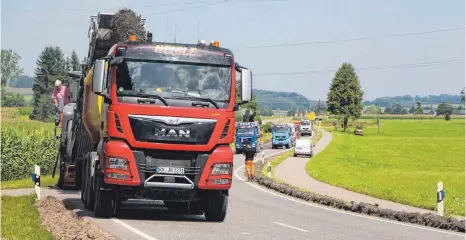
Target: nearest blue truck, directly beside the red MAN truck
{"points": [[247, 137]]}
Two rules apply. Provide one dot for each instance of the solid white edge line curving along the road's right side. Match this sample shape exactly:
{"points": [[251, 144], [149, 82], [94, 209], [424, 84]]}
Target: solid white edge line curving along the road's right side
{"points": [[339, 211]]}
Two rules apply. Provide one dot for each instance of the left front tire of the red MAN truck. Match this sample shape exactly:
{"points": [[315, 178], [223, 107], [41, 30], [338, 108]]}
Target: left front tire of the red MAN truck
{"points": [[106, 203]]}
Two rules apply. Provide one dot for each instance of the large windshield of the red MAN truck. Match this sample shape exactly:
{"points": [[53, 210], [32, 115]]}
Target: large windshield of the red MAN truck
{"points": [[171, 80]]}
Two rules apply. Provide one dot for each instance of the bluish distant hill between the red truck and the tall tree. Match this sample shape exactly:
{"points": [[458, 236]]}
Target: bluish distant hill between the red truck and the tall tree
{"points": [[281, 100]]}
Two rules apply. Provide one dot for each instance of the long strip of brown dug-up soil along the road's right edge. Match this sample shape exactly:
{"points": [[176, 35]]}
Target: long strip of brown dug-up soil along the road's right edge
{"points": [[426, 219]]}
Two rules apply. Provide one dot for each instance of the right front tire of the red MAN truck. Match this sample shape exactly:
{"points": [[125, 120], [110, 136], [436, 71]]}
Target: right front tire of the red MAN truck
{"points": [[216, 208]]}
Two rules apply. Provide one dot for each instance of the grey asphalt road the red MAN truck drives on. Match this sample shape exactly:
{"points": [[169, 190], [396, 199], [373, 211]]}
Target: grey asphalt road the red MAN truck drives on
{"points": [[258, 213]]}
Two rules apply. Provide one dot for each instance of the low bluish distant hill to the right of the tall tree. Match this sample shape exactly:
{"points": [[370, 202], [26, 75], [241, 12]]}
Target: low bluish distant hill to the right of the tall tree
{"points": [[408, 100]]}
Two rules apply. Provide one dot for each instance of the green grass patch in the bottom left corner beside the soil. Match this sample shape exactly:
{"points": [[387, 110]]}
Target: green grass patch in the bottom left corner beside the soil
{"points": [[21, 220]]}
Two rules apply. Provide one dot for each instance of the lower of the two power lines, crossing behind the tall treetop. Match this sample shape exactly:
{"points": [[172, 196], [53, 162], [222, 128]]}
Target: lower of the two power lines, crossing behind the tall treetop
{"points": [[412, 65]]}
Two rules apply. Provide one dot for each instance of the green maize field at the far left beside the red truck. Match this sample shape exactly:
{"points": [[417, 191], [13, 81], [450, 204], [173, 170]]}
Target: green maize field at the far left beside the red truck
{"points": [[25, 143]]}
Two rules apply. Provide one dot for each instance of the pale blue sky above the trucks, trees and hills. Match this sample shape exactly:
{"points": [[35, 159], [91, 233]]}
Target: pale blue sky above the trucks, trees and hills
{"points": [[28, 26]]}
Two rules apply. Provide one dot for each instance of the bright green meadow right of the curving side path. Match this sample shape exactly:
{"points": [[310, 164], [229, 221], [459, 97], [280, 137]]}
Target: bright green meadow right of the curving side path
{"points": [[403, 163]]}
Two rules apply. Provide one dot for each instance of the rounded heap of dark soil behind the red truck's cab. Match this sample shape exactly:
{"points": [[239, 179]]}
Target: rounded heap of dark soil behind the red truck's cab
{"points": [[126, 23]]}
